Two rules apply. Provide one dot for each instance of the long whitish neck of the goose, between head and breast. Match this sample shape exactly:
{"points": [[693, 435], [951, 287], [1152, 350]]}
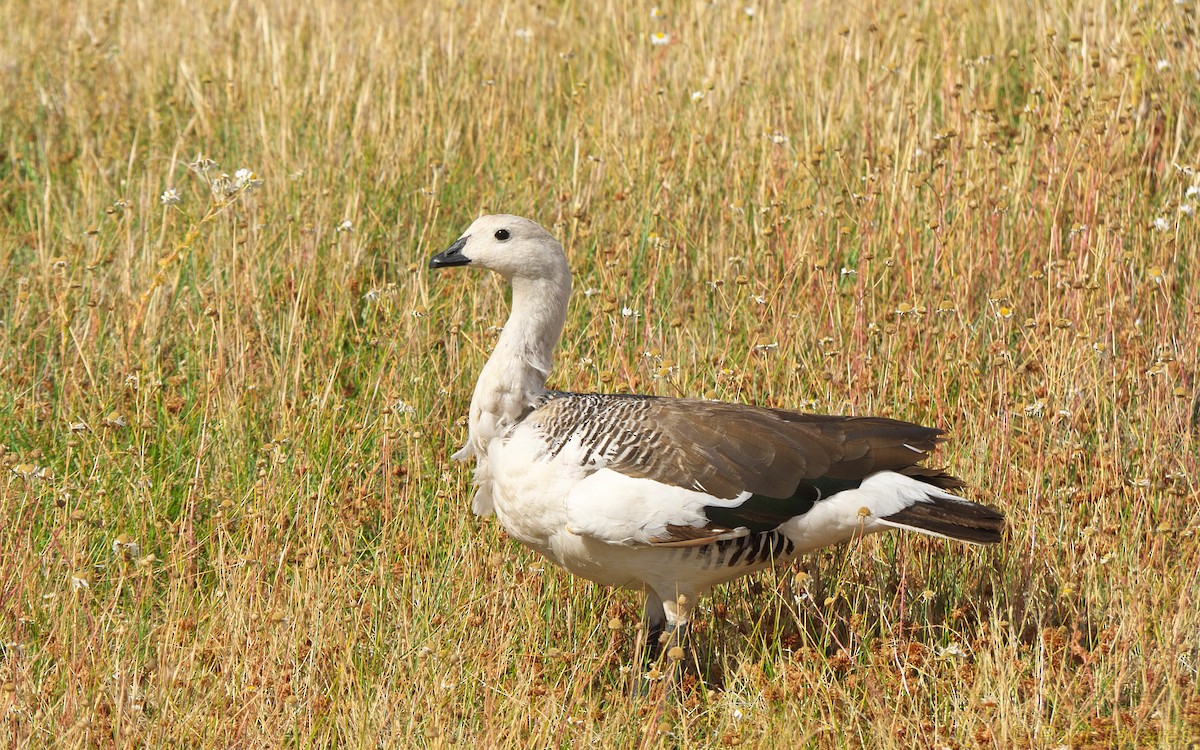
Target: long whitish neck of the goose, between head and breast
{"points": [[515, 376]]}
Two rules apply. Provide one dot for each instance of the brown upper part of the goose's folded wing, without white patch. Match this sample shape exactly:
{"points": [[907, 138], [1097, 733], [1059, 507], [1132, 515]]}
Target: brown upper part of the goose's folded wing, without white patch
{"points": [[727, 449]]}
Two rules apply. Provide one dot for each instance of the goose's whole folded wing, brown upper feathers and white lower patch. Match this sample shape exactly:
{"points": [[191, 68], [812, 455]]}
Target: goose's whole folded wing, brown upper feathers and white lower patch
{"points": [[683, 472]]}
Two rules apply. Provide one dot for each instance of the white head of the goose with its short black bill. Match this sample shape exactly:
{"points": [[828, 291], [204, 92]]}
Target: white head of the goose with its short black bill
{"points": [[514, 248]]}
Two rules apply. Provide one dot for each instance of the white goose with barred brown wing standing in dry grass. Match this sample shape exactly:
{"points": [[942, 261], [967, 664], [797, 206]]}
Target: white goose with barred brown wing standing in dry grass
{"points": [[674, 496]]}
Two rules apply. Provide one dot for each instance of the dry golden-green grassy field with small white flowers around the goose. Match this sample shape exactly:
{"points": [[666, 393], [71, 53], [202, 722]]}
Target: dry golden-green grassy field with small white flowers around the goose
{"points": [[227, 513]]}
